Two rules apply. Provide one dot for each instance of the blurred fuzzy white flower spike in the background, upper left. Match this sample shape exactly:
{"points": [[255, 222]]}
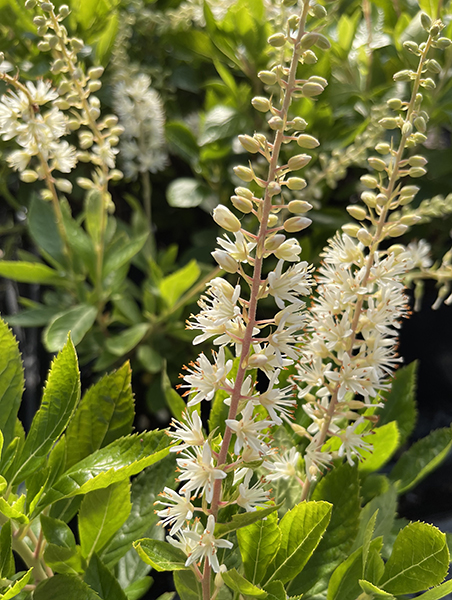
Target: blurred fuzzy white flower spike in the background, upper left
{"points": [[141, 114]]}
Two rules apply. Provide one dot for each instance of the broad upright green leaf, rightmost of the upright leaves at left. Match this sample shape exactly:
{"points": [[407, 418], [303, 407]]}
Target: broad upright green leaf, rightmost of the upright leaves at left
{"points": [[104, 414]]}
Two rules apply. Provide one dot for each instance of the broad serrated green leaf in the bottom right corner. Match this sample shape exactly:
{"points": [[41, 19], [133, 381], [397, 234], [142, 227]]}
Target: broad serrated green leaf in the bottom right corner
{"points": [[419, 560]]}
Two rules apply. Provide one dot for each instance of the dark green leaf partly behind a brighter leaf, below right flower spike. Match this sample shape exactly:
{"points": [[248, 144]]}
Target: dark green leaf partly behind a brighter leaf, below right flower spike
{"points": [[340, 487]]}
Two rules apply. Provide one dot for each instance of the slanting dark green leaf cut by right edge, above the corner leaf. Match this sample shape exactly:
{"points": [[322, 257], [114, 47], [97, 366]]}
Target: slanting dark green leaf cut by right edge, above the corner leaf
{"points": [[421, 459]]}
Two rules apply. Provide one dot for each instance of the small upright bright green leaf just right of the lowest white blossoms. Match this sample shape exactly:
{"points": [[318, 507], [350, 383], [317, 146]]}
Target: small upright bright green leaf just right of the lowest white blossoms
{"points": [[258, 544]]}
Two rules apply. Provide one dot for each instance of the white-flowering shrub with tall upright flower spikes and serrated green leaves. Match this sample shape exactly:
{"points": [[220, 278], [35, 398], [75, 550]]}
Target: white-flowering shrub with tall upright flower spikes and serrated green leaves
{"points": [[278, 492]]}
